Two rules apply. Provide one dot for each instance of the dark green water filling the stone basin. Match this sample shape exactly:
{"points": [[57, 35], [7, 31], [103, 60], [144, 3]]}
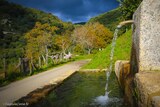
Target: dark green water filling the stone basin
{"points": [[81, 90]]}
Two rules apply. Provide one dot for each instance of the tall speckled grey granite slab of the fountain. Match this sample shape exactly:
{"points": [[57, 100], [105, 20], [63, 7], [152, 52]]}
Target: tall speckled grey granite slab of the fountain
{"points": [[146, 37]]}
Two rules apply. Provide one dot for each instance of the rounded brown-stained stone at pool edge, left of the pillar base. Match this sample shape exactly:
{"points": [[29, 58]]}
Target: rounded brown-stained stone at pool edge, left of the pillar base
{"points": [[122, 70]]}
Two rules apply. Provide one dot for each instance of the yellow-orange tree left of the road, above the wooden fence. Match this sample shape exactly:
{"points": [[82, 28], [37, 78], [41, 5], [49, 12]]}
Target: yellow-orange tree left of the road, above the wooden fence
{"points": [[38, 41]]}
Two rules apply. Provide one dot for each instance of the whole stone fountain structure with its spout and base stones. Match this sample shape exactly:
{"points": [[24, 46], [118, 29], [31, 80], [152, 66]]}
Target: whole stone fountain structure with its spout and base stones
{"points": [[141, 81]]}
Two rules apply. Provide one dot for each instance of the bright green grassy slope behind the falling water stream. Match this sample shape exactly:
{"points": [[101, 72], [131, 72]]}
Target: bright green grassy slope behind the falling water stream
{"points": [[101, 60]]}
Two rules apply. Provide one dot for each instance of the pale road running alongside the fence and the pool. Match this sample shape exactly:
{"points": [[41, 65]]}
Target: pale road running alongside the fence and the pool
{"points": [[21, 88]]}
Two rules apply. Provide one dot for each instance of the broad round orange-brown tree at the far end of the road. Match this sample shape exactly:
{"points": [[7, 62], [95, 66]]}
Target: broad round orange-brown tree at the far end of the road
{"points": [[92, 36]]}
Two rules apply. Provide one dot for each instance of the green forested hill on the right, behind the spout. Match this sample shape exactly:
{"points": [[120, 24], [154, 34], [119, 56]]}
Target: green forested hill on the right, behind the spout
{"points": [[109, 19]]}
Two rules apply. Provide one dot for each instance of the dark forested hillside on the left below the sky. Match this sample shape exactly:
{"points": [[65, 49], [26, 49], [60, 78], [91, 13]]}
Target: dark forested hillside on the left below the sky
{"points": [[16, 20]]}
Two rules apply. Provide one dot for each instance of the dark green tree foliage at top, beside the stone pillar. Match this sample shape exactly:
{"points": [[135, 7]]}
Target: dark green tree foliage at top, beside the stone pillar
{"points": [[128, 7]]}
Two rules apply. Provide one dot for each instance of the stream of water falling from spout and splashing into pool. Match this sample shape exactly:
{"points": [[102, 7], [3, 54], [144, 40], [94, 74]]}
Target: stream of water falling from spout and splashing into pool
{"points": [[104, 99]]}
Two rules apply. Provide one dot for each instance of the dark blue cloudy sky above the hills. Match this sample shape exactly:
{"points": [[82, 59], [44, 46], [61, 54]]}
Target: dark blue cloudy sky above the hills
{"points": [[71, 10]]}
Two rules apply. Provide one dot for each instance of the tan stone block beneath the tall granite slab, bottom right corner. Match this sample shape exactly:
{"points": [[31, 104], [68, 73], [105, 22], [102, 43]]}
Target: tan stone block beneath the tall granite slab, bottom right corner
{"points": [[148, 86]]}
